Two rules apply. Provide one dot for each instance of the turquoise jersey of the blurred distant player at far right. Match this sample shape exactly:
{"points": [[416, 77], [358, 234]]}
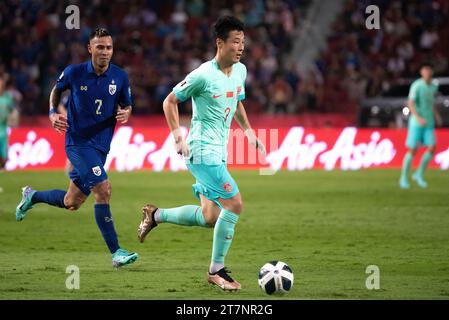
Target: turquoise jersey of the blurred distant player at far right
{"points": [[423, 95]]}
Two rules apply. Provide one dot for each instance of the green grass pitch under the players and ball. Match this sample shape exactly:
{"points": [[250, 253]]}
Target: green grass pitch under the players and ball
{"points": [[328, 226]]}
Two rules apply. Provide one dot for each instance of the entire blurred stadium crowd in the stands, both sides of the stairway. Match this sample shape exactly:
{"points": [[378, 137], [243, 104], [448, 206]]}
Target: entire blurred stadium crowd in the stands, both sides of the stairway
{"points": [[158, 42]]}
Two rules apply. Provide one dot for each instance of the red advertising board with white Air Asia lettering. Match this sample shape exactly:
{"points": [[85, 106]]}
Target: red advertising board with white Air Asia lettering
{"points": [[292, 148]]}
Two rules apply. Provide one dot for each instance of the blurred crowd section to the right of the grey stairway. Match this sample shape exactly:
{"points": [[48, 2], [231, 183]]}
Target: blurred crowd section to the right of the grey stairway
{"points": [[359, 62]]}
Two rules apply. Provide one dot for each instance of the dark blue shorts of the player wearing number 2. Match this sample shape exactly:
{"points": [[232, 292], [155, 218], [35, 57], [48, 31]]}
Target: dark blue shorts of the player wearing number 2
{"points": [[88, 168]]}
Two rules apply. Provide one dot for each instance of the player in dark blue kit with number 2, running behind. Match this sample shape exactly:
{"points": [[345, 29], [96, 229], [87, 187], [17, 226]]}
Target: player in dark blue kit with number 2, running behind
{"points": [[100, 95]]}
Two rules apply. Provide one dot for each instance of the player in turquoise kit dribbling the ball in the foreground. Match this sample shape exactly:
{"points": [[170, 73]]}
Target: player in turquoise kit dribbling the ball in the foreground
{"points": [[217, 89]]}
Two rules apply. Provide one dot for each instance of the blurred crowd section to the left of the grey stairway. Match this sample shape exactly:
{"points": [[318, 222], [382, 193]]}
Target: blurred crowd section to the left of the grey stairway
{"points": [[155, 41]]}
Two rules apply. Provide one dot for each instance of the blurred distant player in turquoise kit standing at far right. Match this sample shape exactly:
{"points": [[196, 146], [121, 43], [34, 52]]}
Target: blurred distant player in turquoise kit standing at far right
{"points": [[421, 125]]}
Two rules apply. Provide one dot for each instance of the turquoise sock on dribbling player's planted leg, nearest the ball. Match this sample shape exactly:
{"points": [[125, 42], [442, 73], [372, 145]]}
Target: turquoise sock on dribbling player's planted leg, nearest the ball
{"points": [[223, 235]]}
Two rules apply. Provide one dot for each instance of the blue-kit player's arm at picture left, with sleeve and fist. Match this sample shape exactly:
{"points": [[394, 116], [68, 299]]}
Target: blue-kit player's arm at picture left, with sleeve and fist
{"points": [[59, 121]]}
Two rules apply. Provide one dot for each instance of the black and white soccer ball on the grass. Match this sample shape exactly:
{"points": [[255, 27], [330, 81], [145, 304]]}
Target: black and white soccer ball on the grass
{"points": [[276, 277]]}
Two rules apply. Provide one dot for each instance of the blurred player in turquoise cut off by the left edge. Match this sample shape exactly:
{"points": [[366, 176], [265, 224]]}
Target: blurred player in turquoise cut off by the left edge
{"points": [[8, 117]]}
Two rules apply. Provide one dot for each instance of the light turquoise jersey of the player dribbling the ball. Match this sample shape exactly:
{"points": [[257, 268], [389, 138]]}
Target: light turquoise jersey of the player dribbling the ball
{"points": [[214, 100]]}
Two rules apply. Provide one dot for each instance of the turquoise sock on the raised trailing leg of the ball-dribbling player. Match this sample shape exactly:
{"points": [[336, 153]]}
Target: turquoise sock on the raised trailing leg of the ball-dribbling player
{"points": [[186, 216]]}
